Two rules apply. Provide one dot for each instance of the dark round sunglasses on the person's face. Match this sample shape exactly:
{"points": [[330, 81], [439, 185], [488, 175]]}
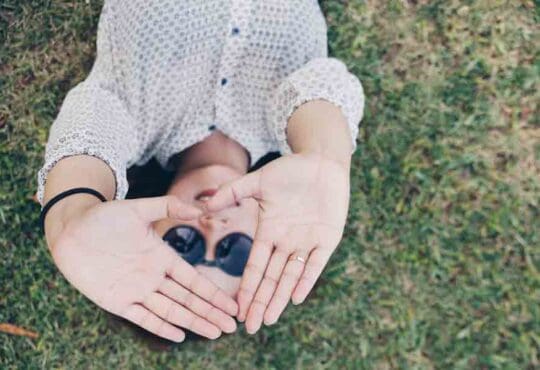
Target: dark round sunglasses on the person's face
{"points": [[232, 251]]}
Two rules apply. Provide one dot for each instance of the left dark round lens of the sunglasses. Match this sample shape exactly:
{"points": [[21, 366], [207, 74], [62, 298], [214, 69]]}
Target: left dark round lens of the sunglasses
{"points": [[187, 241]]}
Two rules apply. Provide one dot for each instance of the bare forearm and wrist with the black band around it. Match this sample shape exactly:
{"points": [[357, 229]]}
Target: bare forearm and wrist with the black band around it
{"points": [[72, 172]]}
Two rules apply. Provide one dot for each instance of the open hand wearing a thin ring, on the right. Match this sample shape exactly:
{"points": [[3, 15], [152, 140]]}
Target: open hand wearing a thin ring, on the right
{"points": [[303, 202]]}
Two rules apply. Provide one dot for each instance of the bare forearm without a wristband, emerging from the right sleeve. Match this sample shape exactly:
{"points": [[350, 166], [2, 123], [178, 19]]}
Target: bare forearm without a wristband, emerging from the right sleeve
{"points": [[320, 127]]}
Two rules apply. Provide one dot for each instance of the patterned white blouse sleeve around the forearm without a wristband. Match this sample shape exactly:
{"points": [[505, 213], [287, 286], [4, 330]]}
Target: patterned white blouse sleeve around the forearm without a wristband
{"points": [[320, 78]]}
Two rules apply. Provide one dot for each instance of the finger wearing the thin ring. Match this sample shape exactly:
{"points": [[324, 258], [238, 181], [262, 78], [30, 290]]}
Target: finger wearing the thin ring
{"points": [[287, 282]]}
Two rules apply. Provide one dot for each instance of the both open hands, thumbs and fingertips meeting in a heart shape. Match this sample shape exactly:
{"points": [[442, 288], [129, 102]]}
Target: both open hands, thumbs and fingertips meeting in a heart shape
{"points": [[113, 256]]}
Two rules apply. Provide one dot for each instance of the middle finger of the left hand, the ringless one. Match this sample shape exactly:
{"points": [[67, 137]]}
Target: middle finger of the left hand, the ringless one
{"points": [[197, 305]]}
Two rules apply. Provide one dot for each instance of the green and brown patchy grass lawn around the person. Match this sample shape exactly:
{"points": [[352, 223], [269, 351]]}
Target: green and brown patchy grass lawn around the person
{"points": [[439, 267]]}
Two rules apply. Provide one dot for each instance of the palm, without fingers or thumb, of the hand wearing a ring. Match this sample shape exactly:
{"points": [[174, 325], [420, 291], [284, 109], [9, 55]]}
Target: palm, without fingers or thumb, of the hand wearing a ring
{"points": [[303, 199]]}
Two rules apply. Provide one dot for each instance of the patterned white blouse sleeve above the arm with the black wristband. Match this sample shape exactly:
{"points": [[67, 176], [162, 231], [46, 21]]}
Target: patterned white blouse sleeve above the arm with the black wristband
{"points": [[93, 120]]}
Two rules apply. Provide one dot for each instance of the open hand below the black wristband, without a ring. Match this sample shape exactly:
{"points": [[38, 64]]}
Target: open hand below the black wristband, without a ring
{"points": [[112, 255]]}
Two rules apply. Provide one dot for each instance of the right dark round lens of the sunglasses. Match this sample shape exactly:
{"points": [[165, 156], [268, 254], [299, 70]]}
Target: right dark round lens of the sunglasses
{"points": [[232, 253]]}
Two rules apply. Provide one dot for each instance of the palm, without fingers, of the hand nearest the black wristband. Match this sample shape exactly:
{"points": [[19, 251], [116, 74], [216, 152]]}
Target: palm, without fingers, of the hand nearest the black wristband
{"points": [[105, 270]]}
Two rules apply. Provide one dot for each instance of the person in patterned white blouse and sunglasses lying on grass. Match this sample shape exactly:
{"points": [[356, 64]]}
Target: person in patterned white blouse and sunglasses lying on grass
{"points": [[209, 90]]}
